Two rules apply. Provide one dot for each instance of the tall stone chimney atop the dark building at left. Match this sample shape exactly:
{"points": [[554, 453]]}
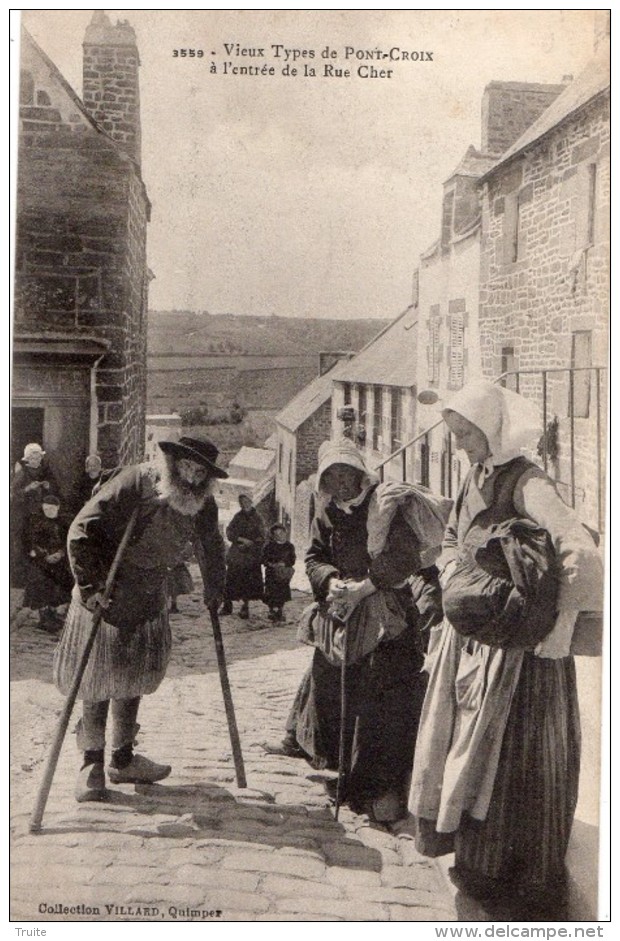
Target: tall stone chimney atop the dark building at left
{"points": [[110, 87]]}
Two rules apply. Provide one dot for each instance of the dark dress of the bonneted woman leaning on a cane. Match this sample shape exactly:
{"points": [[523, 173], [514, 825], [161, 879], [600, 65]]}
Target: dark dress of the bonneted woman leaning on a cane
{"points": [[385, 688]]}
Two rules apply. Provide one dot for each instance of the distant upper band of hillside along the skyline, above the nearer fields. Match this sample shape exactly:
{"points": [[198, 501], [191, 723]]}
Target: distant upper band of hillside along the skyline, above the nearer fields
{"points": [[196, 333]]}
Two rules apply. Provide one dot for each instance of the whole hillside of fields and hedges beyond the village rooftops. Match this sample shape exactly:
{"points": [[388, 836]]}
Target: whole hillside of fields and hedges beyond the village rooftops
{"points": [[205, 362]]}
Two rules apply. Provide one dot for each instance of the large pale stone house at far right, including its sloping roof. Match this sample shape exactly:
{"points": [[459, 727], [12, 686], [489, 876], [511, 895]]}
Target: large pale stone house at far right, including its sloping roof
{"points": [[544, 277]]}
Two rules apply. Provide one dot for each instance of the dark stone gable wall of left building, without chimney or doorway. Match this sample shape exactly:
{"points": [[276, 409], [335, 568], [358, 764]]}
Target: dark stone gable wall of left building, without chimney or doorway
{"points": [[81, 249]]}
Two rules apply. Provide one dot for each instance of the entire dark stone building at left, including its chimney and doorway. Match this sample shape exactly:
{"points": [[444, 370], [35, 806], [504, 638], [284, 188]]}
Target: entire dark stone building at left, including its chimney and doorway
{"points": [[81, 278]]}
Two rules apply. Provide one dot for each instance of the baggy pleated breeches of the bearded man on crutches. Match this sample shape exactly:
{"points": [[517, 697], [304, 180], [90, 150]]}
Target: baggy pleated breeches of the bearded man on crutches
{"points": [[122, 664]]}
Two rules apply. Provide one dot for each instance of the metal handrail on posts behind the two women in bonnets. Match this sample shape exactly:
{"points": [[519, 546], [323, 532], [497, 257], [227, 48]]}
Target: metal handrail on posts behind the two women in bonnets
{"points": [[540, 381]]}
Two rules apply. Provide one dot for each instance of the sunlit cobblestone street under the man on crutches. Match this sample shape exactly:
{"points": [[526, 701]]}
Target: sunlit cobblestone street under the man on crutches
{"points": [[195, 845]]}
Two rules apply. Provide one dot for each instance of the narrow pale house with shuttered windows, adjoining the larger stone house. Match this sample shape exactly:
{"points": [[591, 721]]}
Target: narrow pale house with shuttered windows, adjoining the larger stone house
{"points": [[449, 278]]}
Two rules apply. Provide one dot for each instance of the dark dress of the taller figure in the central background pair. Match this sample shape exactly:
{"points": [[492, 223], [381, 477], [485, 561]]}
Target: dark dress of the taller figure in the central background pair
{"points": [[244, 575]]}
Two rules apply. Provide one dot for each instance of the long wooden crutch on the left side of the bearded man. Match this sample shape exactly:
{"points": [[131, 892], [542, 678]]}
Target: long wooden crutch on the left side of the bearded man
{"points": [[63, 722]]}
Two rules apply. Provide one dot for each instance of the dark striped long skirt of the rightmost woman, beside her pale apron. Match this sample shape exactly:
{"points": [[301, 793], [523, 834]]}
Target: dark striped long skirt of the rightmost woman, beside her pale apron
{"points": [[523, 840]]}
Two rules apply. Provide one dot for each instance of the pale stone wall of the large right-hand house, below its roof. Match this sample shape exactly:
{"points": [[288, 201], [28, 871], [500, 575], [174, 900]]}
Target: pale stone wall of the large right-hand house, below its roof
{"points": [[534, 297]]}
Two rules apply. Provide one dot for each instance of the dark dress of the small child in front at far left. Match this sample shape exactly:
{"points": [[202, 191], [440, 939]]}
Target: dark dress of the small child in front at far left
{"points": [[48, 584]]}
